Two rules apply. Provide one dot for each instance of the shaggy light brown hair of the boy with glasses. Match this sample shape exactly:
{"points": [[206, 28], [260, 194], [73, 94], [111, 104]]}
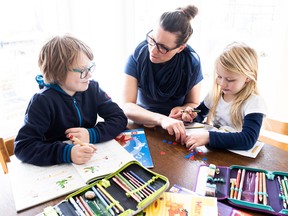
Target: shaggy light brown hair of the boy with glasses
{"points": [[58, 54]]}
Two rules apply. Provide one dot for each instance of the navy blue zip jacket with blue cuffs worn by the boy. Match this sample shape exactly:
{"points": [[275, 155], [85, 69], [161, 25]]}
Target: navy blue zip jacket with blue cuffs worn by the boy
{"points": [[52, 111]]}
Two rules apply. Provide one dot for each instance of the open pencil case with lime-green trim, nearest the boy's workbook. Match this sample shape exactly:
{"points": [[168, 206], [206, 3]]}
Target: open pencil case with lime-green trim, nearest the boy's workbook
{"points": [[125, 192]]}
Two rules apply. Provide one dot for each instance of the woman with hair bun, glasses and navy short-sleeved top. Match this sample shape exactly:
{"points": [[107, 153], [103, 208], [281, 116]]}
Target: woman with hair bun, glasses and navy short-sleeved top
{"points": [[163, 75]]}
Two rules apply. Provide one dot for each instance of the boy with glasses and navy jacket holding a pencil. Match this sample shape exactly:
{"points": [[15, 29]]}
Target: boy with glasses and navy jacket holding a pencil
{"points": [[67, 106]]}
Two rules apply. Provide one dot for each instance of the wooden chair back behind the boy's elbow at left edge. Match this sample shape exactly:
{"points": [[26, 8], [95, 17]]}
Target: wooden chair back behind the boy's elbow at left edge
{"points": [[6, 150]]}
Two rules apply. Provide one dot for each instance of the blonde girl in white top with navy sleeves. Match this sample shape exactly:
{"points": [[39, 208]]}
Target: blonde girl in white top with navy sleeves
{"points": [[234, 101]]}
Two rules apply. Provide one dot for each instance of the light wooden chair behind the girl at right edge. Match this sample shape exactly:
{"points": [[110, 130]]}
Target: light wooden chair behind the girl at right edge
{"points": [[273, 132]]}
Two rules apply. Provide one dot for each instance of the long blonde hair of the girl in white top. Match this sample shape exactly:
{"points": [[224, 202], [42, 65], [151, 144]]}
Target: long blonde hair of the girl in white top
{"points": [[241, 59]]}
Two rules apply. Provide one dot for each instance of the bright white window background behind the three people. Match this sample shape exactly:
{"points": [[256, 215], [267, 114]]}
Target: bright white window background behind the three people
{"points": [[114, 28]]}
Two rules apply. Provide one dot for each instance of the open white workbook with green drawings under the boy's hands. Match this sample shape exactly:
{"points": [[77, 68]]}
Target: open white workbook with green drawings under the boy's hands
{"points": [[32, 185]]}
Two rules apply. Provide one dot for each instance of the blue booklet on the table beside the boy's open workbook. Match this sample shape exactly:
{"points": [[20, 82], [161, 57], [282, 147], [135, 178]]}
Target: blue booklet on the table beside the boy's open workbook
{"points": [[135, 142]]}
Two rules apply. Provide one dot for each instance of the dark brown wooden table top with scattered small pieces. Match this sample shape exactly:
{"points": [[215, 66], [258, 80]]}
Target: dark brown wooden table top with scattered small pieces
{"points": [[173, 164]]}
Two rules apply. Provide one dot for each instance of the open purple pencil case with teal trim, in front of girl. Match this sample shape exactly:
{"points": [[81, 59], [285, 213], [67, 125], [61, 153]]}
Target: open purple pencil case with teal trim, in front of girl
{"points": [[254, 189]]}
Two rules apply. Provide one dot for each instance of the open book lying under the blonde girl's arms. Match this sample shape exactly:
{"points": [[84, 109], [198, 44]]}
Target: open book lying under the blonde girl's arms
{"points": [[197, 128]]}
